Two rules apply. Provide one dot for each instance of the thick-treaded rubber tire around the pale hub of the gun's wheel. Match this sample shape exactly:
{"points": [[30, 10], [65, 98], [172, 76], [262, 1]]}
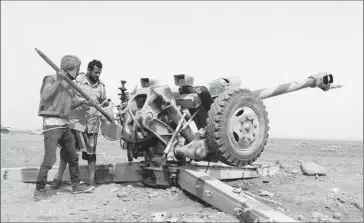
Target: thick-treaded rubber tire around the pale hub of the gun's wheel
{"points": [[218, 121]]}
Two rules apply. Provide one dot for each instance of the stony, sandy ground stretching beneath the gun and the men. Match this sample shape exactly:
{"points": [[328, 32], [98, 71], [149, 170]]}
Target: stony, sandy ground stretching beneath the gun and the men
{"points": [[305, 198]]}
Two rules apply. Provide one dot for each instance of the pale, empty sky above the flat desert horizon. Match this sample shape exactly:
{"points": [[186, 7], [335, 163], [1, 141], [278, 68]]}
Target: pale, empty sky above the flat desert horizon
{"points": [[264, 43]]}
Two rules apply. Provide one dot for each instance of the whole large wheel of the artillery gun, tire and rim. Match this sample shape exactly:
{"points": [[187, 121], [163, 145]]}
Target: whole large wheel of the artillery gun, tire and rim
{"points": [[237, 127]]}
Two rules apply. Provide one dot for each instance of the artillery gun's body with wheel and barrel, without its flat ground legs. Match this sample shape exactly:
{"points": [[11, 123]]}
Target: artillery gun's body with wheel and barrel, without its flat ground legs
{"points": [[218, 122]]}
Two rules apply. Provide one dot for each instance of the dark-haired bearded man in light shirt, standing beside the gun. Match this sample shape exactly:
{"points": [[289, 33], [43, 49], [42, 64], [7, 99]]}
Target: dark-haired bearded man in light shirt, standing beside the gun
{"points": [[86, 121]]}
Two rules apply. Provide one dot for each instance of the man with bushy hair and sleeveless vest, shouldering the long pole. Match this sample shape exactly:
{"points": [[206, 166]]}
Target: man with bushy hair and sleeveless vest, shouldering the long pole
{"points": [[55, 104]]}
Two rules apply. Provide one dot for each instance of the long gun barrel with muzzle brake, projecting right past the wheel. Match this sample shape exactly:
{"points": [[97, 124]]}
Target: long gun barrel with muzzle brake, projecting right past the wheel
{"points": [[321, 80]]}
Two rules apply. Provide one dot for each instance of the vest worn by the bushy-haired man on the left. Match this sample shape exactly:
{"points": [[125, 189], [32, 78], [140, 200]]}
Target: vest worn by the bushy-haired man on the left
{"points": [[59, 104]]}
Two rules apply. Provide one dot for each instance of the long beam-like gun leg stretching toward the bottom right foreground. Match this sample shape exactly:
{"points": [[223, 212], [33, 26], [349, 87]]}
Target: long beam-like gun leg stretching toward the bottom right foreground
{"points": [[221, 196]]}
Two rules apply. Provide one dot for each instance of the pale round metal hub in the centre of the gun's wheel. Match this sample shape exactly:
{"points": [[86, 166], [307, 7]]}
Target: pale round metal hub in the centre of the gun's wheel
{"points": [[244, 127]]}
